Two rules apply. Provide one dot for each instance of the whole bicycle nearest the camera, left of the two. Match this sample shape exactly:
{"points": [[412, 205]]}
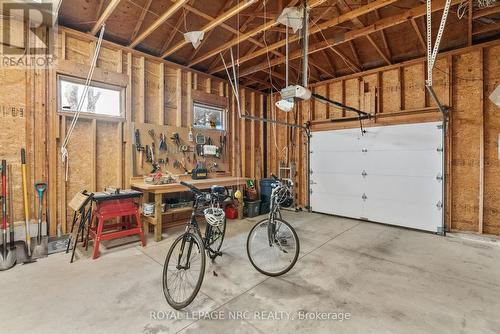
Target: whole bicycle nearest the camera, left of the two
{"points": [[184, 267]]}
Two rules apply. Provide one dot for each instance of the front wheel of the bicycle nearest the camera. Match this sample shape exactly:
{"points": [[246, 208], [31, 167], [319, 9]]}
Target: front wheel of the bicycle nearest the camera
{"points": [[184, 270]]}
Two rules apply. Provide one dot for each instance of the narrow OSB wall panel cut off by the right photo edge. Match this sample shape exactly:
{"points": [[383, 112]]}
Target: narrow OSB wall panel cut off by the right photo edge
{"points": [[492, 133]]}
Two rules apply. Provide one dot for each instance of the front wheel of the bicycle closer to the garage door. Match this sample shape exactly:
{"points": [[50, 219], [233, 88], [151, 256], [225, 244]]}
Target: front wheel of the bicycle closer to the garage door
{"points": [[277, 256]]}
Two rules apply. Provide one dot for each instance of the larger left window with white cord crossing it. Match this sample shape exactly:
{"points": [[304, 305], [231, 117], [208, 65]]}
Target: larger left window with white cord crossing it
{"points": [[101, 99]]}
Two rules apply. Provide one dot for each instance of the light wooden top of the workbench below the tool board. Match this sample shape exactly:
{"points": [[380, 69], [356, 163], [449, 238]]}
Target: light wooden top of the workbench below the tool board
{"points": [[226, 181]]}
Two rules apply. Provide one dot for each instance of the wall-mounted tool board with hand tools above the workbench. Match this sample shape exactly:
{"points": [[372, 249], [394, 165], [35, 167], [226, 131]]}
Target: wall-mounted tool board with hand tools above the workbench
{"points": [[173, 153]]}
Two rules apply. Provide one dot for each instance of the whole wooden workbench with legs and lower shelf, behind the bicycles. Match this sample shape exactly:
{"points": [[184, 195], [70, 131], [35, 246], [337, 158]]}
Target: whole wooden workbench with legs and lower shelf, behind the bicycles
{"points": [[158, 191]]}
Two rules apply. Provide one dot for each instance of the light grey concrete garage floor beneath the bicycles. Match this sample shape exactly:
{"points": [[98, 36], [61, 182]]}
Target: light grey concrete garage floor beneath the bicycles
{"points": [[389, 280]]}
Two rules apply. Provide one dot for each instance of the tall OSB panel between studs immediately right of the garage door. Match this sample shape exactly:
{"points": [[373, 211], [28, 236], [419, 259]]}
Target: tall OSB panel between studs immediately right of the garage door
{"points": [[466, 115]]}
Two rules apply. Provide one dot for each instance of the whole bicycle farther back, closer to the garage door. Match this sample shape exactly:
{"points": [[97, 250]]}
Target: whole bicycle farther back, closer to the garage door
{"points": [[272, 244]]}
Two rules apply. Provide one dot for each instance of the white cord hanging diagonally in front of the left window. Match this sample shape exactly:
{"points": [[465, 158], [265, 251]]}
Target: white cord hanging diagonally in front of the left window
{"points": [[64, 146]]}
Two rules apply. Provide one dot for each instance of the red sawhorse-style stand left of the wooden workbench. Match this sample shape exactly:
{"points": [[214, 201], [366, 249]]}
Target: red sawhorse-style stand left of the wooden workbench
{"points": [[107, 208]]}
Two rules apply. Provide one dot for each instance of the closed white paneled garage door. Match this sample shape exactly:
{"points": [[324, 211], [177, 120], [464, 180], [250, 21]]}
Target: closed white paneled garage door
{"points": [[390, 175]]}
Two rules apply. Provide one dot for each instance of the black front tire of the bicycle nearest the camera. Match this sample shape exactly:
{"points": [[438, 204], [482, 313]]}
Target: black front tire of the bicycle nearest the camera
{"points": [[195, 239]]}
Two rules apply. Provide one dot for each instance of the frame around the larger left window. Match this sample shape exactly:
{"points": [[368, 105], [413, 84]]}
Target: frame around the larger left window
{"points": [[98, 84]]}
